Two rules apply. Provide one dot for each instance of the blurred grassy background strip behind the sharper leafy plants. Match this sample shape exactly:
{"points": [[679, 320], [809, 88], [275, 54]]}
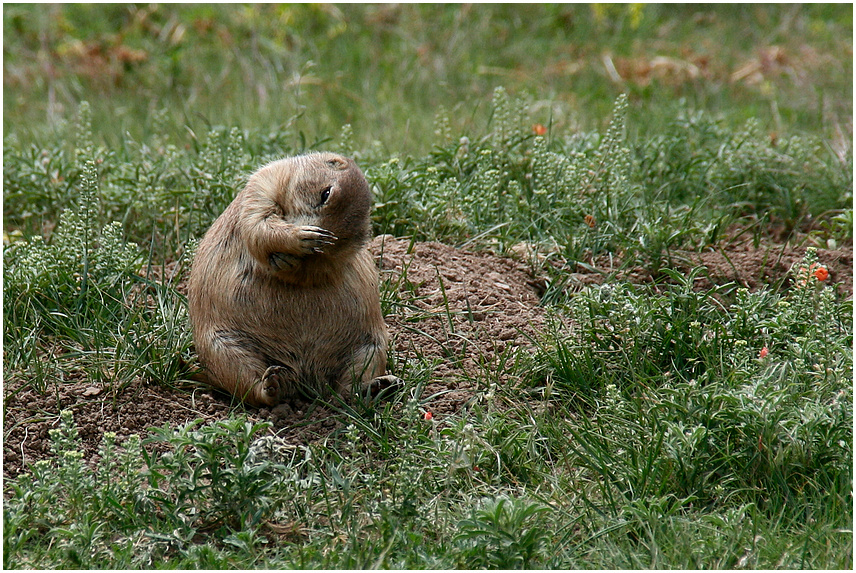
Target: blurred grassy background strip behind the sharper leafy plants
{"points": [[386, 69]]}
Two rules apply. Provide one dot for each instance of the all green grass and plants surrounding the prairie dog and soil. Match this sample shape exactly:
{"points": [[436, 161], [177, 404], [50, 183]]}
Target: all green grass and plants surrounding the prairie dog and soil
{"points": [[672, 427]]}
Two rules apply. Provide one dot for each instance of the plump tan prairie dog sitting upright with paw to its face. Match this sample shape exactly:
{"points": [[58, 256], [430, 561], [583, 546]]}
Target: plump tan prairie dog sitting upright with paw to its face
{"points": [[283, 292]]}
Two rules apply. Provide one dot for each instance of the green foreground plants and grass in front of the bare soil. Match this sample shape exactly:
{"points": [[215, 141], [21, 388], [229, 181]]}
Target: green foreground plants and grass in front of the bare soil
{"points": [[739, 455]]}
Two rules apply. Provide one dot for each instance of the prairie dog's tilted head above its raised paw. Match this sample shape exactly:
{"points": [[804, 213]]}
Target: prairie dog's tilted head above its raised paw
{"points": [[321, 189]]}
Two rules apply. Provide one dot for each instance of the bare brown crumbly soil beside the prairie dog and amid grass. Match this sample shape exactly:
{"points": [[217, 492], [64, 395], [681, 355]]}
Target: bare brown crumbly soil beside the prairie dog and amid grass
{"points": [[455, 312]]}
